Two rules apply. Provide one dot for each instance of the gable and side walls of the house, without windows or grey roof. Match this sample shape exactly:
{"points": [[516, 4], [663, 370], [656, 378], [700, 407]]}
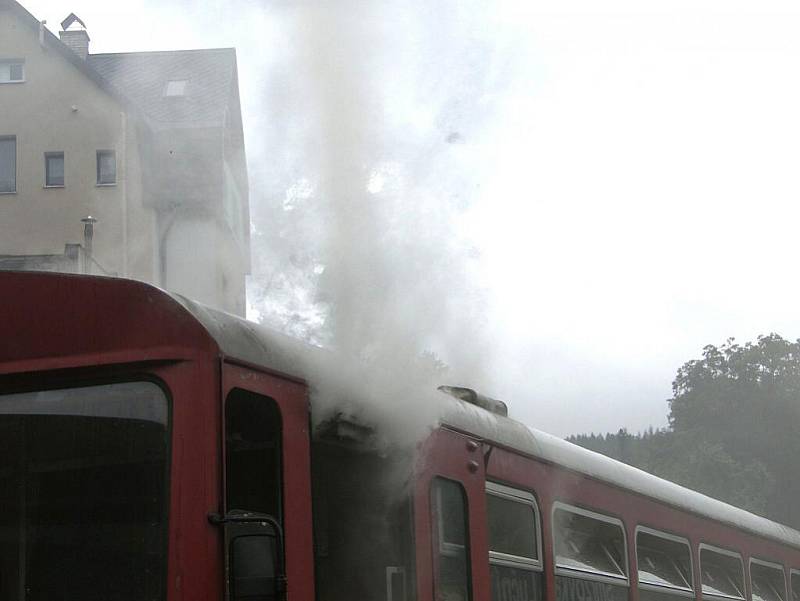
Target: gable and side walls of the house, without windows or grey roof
{"points": [[164, 175]]}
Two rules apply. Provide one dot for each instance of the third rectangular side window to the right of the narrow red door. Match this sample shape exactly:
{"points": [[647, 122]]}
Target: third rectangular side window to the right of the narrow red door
{"points": [[664, 563]]}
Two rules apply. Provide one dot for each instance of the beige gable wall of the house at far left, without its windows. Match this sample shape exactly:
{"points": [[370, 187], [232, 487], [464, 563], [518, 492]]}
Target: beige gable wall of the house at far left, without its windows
{"points": [[59, 109]]}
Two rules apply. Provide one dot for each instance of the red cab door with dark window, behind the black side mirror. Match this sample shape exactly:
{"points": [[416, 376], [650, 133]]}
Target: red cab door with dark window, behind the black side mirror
{"points": [[267, 467]]}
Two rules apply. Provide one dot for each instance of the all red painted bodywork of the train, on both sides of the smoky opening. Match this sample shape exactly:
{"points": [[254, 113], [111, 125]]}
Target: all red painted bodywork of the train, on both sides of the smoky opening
{"points": [[61, 330]]}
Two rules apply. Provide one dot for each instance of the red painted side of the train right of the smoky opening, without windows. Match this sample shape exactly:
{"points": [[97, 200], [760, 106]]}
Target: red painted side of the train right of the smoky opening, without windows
{"points": [[447, 454]]}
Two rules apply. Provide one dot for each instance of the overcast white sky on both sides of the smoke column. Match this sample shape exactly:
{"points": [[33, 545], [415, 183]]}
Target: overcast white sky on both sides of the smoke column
{"points": [[633, 167]]}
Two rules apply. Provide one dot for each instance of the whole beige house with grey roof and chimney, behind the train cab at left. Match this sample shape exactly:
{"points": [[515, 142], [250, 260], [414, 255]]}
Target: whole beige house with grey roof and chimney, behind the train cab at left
{"points": [[148, 144]]}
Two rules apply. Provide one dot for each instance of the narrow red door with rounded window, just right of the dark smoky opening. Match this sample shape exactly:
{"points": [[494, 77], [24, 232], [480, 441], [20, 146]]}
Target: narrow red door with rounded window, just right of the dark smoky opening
{"points": [[450, 510]]}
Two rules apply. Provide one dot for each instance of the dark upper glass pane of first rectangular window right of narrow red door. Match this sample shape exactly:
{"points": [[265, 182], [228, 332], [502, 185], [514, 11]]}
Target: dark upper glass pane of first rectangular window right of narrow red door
{"points": [[512, 526]]}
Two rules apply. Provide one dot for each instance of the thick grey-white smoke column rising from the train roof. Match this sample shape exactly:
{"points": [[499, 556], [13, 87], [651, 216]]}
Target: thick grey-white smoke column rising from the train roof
{"points": [[386, 95]]}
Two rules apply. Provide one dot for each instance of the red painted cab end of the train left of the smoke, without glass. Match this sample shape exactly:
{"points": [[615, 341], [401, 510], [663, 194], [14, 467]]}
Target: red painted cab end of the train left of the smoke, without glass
{"points": [[66, 330]]}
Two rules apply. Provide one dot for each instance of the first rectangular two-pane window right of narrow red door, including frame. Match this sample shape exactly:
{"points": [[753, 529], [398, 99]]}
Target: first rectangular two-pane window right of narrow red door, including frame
{"points": [[514, 544]]}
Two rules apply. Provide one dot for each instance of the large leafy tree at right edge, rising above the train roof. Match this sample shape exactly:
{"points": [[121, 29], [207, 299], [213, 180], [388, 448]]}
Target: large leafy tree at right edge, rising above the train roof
{"points": [[743, 401]]}
